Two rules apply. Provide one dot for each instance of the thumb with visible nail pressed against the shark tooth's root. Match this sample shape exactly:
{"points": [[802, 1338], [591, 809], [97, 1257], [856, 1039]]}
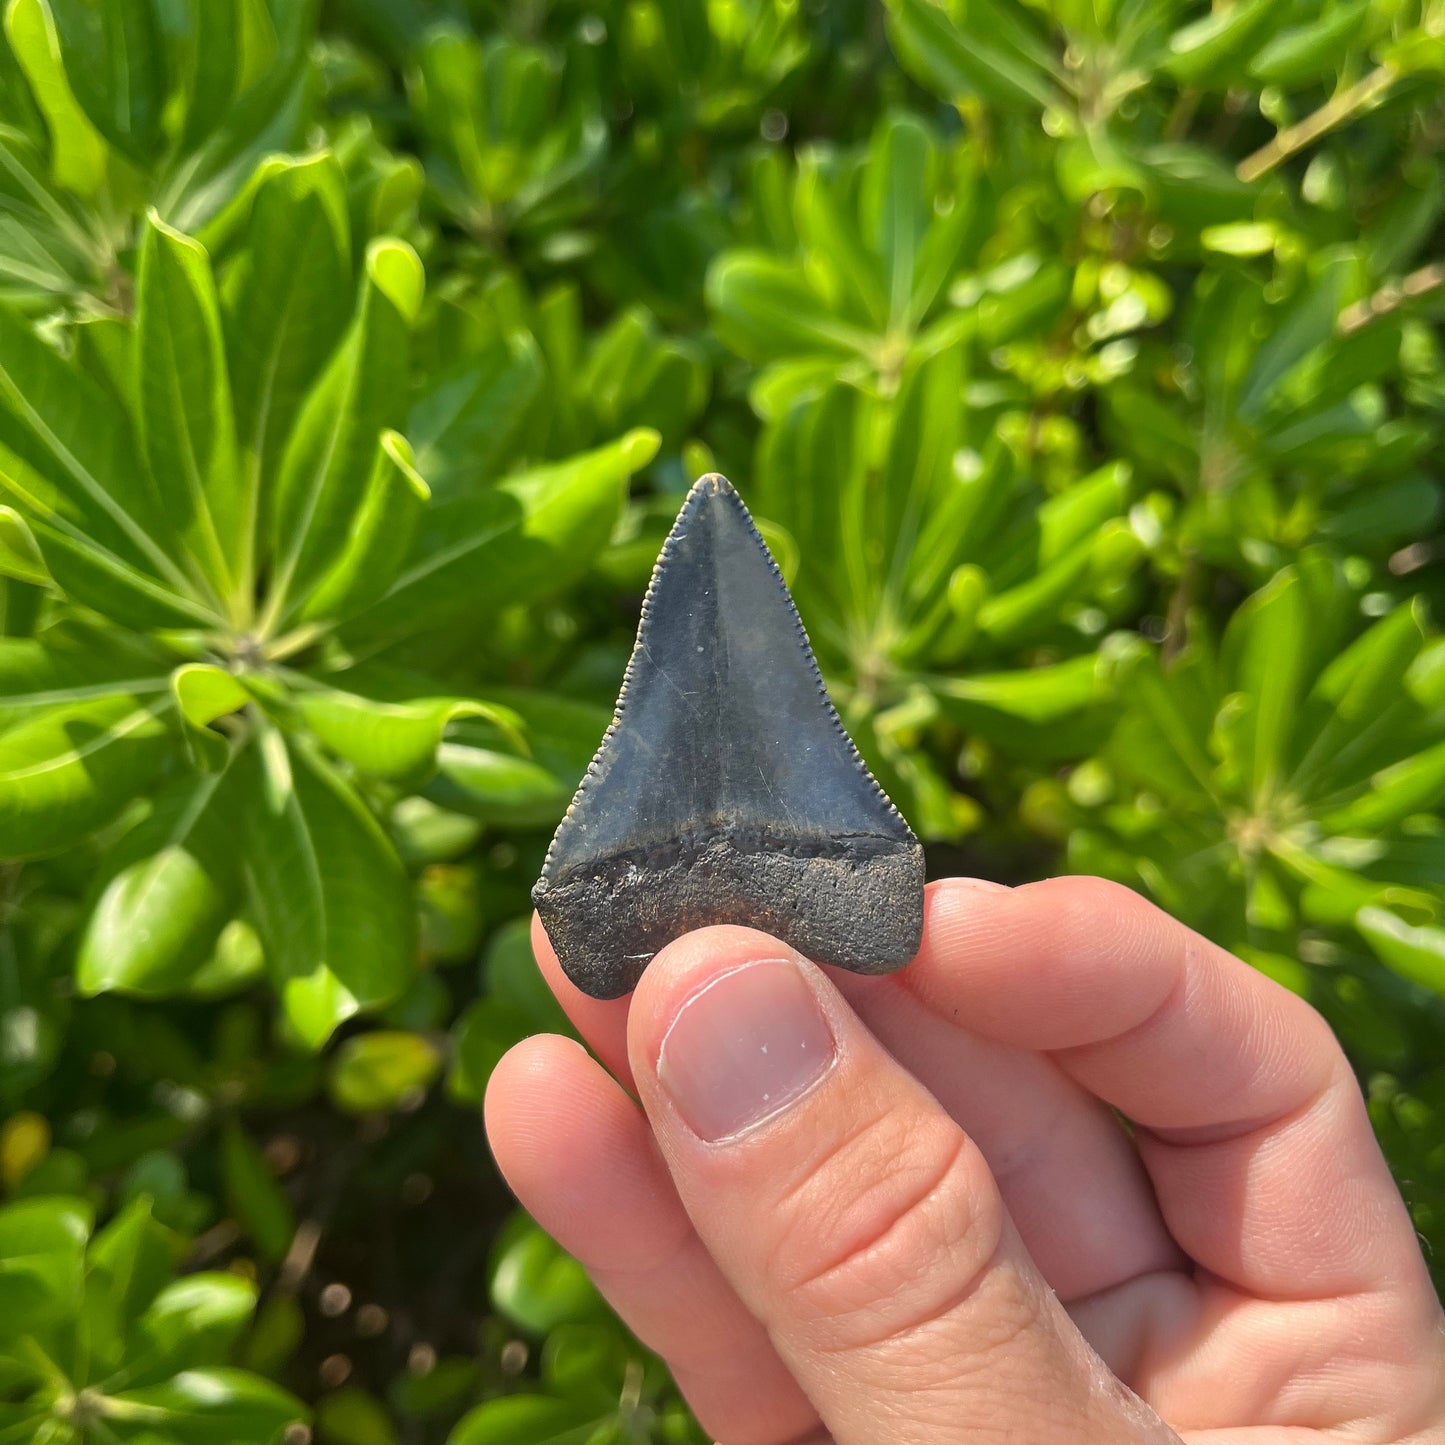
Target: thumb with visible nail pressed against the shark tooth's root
{"points": [[852, 1215]]}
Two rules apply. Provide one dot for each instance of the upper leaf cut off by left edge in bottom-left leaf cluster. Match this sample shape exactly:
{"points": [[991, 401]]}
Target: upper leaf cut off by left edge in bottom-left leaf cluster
{"points": [[43, 1259]]}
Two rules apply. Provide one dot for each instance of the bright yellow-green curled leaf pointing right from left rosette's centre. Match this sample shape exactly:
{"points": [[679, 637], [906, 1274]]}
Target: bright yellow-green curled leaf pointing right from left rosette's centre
{"points": [[388, 739]]}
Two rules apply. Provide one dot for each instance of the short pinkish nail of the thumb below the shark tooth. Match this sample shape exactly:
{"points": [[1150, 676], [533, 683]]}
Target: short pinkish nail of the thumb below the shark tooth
{"points": [[743, 1048]]}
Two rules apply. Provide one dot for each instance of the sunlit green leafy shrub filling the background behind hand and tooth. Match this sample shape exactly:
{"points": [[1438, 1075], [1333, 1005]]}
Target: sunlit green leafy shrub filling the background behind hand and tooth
{"points": [[1082, 362]]}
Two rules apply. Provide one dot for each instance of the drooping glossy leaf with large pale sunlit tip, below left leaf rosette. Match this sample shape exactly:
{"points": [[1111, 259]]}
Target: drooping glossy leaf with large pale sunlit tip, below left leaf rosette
{"points": [[173, 885]]}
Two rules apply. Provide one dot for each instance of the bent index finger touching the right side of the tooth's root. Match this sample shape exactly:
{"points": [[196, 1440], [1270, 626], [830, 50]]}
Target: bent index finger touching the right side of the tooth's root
{"points": [[1248, 1116]]}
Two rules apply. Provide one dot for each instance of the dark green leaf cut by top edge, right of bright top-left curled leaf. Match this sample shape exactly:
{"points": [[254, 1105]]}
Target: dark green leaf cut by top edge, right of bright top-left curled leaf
{"points": [[116, 67]]}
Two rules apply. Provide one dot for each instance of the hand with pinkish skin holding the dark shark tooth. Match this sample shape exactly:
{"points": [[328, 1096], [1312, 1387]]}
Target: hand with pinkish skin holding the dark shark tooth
{"points": [[897, 1212]]}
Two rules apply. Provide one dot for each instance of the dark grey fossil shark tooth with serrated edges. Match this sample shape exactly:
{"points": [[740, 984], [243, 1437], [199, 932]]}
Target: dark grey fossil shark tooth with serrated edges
{"points": [[726, 790]]}
